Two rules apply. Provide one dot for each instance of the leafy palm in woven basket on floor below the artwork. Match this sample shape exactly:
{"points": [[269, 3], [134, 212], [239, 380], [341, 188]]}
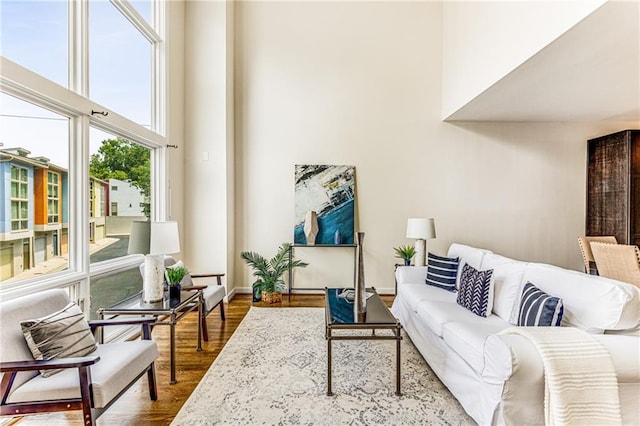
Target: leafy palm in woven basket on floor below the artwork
{"points": [[270, 284]]}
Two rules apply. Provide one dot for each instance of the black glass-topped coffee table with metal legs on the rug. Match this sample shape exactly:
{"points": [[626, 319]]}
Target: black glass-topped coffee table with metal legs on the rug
{"points": [[339, 315]]}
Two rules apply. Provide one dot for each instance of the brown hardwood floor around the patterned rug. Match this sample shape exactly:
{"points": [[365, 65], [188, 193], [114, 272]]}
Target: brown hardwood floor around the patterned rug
{"points": [[135, 408]]}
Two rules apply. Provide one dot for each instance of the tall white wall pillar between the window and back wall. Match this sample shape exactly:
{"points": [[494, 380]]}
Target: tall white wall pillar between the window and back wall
{"points": [[208, 190]]}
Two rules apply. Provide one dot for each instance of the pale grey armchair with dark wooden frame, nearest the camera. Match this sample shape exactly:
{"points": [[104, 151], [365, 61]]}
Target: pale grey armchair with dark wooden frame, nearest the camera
{"points": [[91, 383]]}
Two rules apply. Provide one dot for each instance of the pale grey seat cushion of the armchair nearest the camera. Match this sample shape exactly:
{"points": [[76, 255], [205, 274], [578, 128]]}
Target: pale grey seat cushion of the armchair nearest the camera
{"points": [[109, 375]]}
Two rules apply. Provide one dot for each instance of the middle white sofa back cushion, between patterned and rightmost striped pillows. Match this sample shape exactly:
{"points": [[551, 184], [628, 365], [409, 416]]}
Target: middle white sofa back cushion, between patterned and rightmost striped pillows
{"points": [[507, 285]]}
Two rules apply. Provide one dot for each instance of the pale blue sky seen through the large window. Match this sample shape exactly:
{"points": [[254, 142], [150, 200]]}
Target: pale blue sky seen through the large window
{"points": [[34, 34]]}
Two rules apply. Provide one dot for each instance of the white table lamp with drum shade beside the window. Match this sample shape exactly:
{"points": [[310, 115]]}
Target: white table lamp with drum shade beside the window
{"points": [[154, 240]]}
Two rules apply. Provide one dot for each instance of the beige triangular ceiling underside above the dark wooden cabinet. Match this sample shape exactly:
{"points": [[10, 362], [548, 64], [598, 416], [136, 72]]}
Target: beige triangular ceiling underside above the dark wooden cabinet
{"points": [[590, 73]]}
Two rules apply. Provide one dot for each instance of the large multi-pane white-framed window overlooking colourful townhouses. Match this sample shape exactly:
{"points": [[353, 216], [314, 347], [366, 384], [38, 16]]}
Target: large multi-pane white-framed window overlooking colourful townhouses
{"points": [[80, 107]]}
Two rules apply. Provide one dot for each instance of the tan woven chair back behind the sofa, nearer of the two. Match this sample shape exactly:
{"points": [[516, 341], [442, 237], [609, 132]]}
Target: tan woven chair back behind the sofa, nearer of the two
{"points": [[617, 261]]}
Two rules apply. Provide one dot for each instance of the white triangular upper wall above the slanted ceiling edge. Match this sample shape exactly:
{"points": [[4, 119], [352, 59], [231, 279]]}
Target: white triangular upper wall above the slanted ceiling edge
{"points": [[483, 41]]}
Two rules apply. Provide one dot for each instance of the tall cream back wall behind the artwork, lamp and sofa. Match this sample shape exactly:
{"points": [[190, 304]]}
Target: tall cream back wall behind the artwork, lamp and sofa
{"points": [[360, 83]]}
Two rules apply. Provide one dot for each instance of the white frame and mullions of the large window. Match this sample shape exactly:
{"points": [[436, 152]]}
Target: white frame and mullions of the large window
{"points": [[73, 103]]}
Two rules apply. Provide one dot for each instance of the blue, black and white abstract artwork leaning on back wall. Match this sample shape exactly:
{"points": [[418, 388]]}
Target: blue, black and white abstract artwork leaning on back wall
{"points": [[330, 192]]}
